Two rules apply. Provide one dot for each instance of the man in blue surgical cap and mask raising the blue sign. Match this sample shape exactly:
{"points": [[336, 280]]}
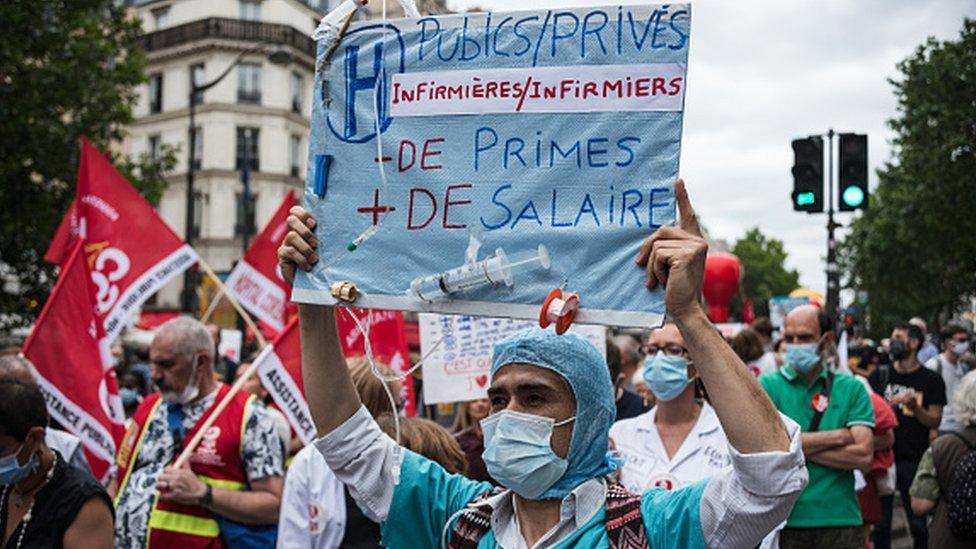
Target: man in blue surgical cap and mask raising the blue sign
{"points": [[546, 439]]}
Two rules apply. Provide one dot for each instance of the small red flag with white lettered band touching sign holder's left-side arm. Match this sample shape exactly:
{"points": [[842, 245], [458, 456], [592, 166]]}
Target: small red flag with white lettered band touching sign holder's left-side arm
{"points": [[280, 369]]}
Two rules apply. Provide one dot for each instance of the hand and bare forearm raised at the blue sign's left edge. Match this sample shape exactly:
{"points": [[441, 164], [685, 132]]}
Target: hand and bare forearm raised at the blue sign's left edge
{"points": [[331, 396]]}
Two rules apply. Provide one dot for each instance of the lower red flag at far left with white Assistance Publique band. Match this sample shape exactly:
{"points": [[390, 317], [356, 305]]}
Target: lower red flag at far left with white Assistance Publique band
{"points": [[70, 355]]}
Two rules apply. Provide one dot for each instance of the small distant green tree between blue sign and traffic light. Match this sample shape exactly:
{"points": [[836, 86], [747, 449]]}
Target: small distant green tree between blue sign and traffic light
{"points": [[765, 273]]}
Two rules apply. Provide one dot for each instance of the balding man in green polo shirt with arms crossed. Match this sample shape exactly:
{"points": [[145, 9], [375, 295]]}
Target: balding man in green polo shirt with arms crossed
{"points": [[837, 419]]}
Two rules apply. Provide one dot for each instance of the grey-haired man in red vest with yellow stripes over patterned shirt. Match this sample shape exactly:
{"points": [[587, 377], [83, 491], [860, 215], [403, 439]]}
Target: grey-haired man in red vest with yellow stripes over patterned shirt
{"points": [[233, 477]]}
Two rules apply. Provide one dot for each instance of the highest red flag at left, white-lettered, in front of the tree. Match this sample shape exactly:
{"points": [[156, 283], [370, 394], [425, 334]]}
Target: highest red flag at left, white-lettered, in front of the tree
{"points": [[130, 250]]}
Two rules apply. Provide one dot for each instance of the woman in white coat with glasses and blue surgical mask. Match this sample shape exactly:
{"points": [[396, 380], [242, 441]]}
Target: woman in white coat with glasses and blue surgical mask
{"points": [[680, 440]]}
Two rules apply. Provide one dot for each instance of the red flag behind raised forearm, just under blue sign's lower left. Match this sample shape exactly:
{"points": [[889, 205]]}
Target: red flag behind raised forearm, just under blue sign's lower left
{"points": [[387, 341]]}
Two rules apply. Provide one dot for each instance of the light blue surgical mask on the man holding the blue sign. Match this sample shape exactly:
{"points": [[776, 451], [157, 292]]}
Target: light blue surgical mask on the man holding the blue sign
{"points": [[518, 452]]}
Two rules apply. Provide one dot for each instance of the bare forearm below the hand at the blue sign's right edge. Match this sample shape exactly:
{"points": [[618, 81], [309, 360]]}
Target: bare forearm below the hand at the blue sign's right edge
{"points": [[748, 417]]}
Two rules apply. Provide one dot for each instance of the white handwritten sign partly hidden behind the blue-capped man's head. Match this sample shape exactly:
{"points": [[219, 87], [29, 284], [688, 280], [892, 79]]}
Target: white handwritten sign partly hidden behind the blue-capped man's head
{"points": [[460, 347]]}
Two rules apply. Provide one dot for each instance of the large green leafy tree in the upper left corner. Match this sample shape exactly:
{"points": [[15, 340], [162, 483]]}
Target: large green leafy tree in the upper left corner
{"points": [[68, 68]]}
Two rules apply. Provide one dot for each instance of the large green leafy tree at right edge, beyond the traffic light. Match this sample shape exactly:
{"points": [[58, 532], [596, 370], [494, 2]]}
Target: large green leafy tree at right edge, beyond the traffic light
{"points": [[914, 250]]}
